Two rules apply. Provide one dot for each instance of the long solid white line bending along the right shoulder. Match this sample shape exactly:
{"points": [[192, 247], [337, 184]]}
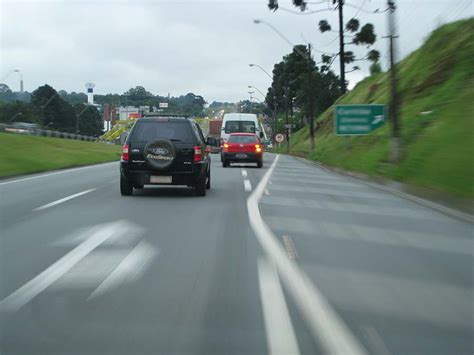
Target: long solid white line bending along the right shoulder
{"points": [[324, 323]]}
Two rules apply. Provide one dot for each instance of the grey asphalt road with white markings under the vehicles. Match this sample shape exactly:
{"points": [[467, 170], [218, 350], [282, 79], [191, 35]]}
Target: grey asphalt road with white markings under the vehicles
{"points": [[288, 259]]}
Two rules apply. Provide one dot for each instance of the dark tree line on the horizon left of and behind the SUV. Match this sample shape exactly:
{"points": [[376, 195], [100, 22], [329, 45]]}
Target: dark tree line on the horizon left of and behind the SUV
{"points": [[69, 112]]}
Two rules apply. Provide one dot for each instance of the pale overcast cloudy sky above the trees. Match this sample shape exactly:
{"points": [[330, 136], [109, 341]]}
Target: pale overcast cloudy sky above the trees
{"points": [[180, 46]]}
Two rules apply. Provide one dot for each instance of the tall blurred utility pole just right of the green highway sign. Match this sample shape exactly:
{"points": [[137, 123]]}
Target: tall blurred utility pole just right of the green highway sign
{"points": [[393, 114]]}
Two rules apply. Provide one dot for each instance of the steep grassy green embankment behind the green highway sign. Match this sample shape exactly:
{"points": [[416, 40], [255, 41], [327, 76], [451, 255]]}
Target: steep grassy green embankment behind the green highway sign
{"points": [[437, 115]]}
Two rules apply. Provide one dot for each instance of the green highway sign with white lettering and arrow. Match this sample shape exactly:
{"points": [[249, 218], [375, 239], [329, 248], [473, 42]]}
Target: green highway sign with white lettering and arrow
{"points": [[358, 119]]}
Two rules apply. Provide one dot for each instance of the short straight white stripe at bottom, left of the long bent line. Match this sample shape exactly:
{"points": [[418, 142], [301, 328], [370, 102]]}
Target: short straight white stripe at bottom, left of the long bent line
{"points": [[281, 337]]}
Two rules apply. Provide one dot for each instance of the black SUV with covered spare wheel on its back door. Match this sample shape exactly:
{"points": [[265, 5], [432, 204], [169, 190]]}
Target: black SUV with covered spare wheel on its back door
{"points": [[162, 150]]}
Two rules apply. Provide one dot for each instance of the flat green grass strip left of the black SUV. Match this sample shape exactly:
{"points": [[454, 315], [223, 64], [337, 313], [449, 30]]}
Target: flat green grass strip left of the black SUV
{"points": [[24, 154]]}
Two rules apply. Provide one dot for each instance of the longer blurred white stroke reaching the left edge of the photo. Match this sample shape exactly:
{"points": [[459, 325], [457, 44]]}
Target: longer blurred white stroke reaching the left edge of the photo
{"points": [[42, 281]]}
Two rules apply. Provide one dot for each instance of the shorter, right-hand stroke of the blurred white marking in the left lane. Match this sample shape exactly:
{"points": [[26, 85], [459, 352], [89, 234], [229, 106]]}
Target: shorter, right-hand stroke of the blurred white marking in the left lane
{"points": [[129, 269]]}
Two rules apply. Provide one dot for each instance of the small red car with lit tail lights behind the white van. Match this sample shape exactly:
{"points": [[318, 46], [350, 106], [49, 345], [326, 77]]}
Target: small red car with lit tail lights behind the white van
{"points": [[242, 148]]}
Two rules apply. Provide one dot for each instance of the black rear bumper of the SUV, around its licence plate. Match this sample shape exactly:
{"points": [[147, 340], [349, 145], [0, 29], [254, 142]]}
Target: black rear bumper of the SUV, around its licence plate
{"points": [[142, 177]]}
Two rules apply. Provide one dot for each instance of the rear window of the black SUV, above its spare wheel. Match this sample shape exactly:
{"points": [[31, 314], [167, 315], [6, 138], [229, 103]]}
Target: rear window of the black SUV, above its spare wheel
{"points": [[145, 131]]}
